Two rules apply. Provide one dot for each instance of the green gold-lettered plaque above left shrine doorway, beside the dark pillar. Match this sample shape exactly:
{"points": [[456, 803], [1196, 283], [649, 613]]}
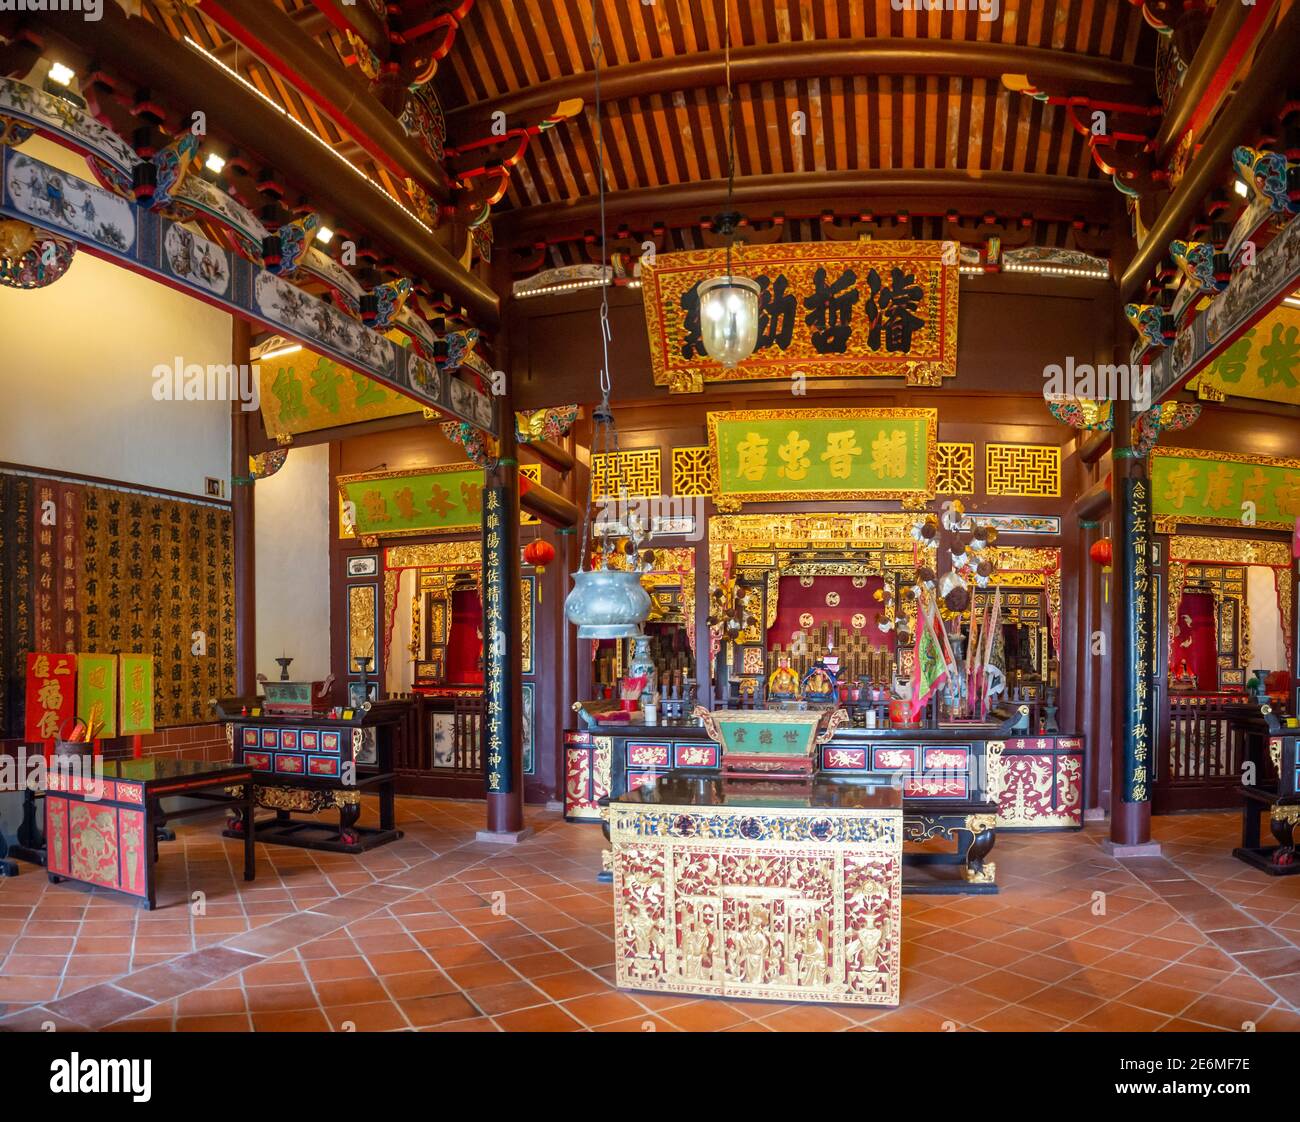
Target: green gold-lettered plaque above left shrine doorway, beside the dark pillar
{"points": [[422, 501]]}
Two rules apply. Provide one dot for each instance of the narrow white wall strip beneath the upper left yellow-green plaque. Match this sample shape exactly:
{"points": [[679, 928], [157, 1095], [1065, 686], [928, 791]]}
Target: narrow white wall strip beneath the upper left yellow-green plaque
{"points": [[293, 510]]}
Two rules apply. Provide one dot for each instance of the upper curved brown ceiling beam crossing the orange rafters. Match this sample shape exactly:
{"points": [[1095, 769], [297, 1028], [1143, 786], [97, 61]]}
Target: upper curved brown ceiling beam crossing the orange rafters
{"points": [[1085, 75]]}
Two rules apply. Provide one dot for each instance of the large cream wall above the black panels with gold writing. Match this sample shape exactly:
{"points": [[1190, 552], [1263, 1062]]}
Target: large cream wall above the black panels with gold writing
{"points": [[76, 374]]}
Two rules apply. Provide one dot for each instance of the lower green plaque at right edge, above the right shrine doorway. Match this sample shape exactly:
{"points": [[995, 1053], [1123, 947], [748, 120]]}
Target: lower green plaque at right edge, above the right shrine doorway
{"points": [[1208, 488]]}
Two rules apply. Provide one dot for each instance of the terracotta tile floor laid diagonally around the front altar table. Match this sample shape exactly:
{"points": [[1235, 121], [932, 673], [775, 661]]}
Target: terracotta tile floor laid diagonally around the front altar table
{"points": [[440, 933]]}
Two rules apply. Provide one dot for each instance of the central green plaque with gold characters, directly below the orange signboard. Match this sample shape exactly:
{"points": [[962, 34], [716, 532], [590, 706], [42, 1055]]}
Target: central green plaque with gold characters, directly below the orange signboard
{"points": [[785, 456]]}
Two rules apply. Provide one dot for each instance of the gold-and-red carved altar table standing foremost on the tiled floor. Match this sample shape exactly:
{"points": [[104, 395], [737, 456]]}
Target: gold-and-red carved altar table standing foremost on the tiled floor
{"points": [[752, 889]]}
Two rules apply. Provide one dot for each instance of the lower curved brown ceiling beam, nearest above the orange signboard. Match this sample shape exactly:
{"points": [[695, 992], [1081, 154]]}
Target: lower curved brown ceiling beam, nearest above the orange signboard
{"points": [[804, 194]]}
